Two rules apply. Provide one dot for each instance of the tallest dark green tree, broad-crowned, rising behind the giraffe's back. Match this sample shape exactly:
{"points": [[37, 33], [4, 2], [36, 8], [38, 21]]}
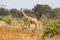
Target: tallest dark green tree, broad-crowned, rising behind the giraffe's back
{"points": [[41, 9]]}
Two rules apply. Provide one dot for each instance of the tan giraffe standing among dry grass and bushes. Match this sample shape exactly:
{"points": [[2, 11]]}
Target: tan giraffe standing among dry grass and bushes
{"points": [[30, 19]]}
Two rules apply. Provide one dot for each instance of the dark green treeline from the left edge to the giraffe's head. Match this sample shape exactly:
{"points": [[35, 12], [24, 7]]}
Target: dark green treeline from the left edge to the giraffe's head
{"points": [[14, 12]]}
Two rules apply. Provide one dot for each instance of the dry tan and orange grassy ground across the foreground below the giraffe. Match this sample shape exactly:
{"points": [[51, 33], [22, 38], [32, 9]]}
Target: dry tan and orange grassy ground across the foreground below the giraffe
{"points": [[15, 32]]}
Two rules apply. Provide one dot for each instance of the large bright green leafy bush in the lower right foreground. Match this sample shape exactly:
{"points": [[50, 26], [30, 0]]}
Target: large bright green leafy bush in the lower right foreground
{"points": [[52, 28]]}
